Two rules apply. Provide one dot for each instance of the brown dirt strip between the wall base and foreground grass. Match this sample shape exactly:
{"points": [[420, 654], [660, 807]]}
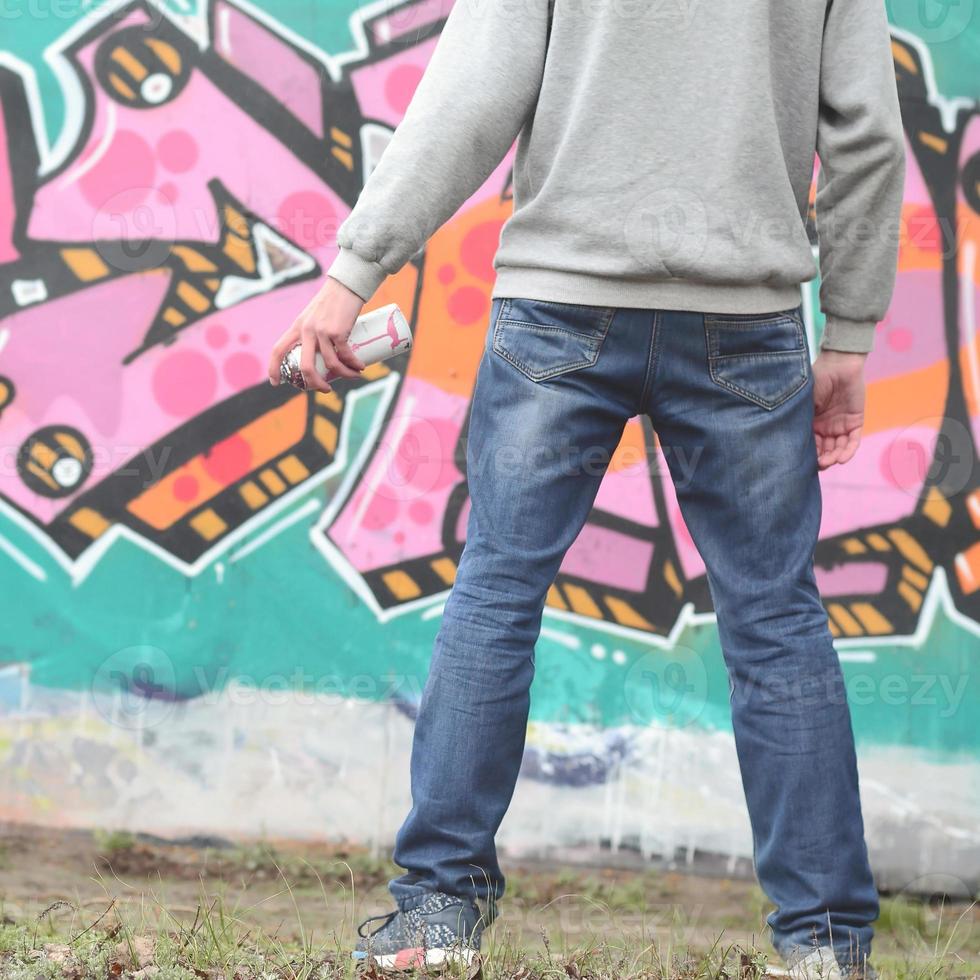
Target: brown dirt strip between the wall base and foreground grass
{"points": [[61, 882]]}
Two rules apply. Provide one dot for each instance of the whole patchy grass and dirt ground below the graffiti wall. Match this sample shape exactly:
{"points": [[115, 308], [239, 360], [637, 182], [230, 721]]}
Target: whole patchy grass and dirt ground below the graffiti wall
{"points": [[138, 911]]}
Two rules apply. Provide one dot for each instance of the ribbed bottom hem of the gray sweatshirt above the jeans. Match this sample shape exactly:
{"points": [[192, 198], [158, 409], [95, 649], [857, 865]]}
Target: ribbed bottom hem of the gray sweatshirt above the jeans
{"points": [[552, 285]]}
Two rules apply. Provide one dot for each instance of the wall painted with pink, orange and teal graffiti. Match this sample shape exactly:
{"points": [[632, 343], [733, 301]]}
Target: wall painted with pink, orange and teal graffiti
{"points": [[219, 597]]}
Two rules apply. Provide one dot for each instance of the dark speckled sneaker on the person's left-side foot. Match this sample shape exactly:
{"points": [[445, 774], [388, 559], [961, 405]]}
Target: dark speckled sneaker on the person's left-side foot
{"points": [[442, 929]]}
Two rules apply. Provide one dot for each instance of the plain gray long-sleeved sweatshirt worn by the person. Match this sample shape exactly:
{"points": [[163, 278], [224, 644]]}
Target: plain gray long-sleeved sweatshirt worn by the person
{"points": [[665, 150]]}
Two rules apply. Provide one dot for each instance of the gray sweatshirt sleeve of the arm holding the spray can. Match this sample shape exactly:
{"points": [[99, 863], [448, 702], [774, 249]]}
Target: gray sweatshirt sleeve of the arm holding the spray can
{"points": [[478, 88]]}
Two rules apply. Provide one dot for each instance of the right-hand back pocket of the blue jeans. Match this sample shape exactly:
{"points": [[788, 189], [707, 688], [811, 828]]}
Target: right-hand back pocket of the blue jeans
{"points": [[764, 358]]}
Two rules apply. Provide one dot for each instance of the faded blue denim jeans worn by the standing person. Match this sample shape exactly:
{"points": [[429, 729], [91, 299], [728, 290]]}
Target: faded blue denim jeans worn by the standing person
{"points": [[555, 387]]}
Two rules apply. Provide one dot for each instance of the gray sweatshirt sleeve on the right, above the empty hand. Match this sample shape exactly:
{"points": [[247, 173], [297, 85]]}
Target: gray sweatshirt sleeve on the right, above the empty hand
{"points": [[861, 180]]}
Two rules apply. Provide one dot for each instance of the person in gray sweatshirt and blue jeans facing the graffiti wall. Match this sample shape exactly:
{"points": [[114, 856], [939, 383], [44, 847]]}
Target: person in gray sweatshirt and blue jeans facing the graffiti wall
{"points": [[652, 265]]}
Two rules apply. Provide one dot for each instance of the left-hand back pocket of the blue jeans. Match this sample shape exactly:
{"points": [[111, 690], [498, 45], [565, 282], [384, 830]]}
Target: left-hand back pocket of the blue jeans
{"points": [[545, 339]]}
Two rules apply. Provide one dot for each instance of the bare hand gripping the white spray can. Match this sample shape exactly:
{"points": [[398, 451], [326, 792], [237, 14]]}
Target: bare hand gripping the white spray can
{"points": [[324, 325]]}
